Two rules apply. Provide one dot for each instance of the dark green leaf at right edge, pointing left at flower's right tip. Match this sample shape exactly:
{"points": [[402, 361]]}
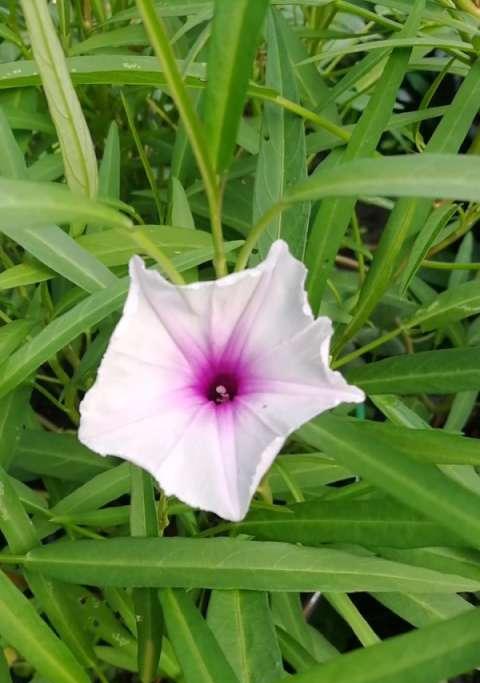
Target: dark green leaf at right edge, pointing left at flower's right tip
{"points": [[430, 372]]}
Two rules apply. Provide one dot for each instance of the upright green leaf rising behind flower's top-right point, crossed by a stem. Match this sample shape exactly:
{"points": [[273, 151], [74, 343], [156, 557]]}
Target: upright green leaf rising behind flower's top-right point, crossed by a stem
{"points": [[282, 156]]}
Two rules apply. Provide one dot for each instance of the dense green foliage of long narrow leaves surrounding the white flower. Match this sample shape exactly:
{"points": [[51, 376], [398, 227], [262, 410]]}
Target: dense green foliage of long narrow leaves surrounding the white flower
{"points": [[346, 127]]}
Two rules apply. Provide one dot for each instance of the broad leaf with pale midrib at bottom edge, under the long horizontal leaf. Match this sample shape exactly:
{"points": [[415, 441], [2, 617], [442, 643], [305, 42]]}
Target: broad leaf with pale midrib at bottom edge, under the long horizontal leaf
{"points": [[242, 623]]}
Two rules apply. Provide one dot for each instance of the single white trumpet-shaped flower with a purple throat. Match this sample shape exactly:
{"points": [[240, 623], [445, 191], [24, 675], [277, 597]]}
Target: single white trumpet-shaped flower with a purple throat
{"points": [[201, 384]]}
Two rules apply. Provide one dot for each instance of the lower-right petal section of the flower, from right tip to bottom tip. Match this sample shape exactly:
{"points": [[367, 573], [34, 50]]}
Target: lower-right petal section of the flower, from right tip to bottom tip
{"points": [[294, 388]]}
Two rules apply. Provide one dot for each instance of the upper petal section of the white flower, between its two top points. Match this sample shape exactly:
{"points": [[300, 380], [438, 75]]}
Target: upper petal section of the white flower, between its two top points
{"points": [[239, 312]]}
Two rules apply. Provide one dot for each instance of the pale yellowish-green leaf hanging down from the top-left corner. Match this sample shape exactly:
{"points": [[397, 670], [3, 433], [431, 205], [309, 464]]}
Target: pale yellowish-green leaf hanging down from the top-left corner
{"points": [[75, 141]]}
